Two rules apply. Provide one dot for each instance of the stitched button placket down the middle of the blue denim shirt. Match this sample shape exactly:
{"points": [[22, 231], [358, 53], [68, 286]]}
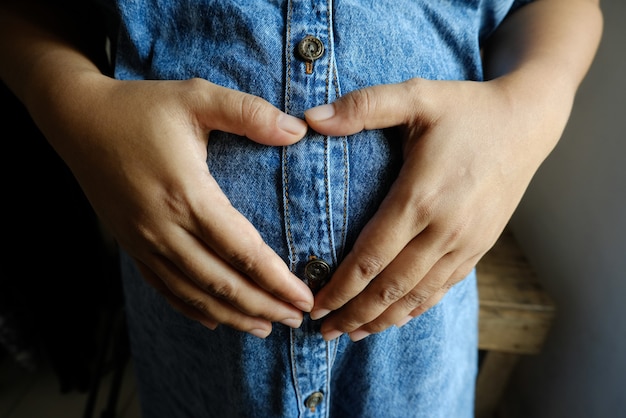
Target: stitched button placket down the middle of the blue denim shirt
{"points": [[315, 173]]}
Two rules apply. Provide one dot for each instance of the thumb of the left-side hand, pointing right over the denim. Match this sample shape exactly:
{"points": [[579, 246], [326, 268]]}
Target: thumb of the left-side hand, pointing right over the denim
{"points": [[247, 115]]}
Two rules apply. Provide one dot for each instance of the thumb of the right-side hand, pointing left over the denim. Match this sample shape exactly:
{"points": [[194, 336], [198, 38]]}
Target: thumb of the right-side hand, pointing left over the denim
{"points": [[376, 107]]}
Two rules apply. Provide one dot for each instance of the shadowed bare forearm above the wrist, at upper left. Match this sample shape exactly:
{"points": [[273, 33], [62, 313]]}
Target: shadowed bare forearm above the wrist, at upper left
{"points": [[50, 60]]}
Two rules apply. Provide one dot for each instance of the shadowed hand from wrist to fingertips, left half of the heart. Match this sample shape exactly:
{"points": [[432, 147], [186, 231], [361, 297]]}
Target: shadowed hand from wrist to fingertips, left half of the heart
{"points": [[139, 149]]}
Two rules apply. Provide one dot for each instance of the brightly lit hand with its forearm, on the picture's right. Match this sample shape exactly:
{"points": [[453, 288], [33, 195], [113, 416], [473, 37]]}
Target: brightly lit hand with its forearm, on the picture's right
{"points": [[471, 149]]}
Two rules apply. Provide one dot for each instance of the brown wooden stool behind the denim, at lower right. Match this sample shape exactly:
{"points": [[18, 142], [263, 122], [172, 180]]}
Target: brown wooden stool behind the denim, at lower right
{"points": [[514, 319]]}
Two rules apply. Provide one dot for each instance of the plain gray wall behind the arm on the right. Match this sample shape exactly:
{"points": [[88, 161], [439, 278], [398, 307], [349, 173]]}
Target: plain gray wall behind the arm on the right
{"points": [[572, 226]]}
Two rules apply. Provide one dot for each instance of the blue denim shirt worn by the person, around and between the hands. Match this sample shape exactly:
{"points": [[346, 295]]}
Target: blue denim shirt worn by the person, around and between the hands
{"points": [[308, 199]]}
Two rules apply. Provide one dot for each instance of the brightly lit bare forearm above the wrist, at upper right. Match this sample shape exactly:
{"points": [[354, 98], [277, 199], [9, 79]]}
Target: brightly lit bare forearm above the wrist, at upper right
{"points": [[540, 55]]}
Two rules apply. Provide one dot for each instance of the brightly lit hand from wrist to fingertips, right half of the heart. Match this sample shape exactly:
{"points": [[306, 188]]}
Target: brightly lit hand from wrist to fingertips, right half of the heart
{"points": [[468, 158]]}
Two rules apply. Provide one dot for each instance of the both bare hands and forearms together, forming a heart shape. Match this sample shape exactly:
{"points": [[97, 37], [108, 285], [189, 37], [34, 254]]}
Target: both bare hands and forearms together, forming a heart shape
{"points": [[470, 151]]}
